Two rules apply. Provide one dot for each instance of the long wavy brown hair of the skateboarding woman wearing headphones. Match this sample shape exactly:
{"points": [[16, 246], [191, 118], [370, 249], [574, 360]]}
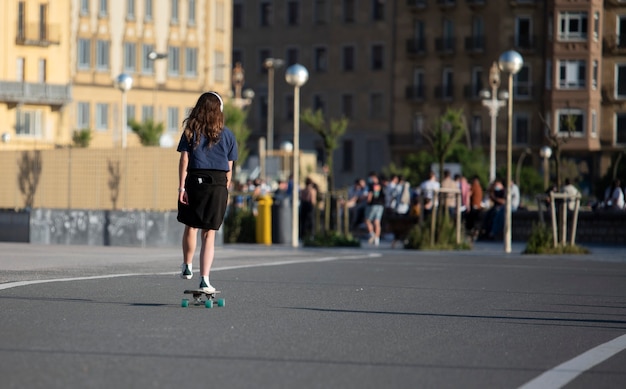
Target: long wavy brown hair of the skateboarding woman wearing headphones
{"points": [[206, 118]]}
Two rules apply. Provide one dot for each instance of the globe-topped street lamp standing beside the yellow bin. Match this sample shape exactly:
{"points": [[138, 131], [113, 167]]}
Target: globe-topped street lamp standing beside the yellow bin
{"points": [[296, 75]]}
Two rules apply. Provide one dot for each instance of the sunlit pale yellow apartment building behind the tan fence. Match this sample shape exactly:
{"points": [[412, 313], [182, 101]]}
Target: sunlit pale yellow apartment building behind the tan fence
{"points": [[66, 55]]}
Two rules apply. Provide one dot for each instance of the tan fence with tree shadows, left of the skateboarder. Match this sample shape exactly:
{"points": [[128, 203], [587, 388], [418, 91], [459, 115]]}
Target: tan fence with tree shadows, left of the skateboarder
{"points": [[143, 178]]}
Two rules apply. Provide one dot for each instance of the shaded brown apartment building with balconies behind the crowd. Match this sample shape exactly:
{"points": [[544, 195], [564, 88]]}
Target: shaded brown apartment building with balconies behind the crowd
{"points": [[393, 67]]}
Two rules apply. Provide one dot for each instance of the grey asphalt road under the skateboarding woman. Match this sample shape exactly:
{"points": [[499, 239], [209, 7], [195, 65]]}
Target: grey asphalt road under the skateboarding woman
{"points": [[96, 317]]}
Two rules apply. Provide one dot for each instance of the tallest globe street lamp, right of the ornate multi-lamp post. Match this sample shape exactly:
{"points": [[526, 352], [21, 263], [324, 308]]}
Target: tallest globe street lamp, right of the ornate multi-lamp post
{"points": [[509, 62]]}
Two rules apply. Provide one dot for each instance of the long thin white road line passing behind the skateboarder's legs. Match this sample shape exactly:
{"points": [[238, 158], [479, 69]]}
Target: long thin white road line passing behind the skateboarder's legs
{"points": [[15, 284]]}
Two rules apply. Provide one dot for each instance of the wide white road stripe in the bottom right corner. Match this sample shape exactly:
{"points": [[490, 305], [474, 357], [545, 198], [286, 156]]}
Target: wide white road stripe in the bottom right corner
{"points": [[566, 372]]}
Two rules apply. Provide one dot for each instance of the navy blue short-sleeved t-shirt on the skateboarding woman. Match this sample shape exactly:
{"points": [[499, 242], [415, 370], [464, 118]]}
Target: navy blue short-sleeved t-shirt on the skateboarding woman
{"points": [[215, 157]]}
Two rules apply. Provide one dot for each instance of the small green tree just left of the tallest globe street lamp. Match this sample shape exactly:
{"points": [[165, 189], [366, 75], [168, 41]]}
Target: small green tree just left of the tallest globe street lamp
{"points": [[445, 134]]}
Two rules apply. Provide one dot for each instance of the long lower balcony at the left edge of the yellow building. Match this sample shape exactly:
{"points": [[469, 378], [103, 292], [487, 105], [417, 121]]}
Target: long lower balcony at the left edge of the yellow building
{"points": [[35, 93]]}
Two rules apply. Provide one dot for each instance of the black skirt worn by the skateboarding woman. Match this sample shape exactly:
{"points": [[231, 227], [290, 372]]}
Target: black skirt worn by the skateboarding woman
{"points": [[207, 197]]}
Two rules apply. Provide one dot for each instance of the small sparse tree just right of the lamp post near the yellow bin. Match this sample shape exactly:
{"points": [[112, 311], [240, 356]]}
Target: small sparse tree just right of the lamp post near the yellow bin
{"points": [[330, 132]]}
